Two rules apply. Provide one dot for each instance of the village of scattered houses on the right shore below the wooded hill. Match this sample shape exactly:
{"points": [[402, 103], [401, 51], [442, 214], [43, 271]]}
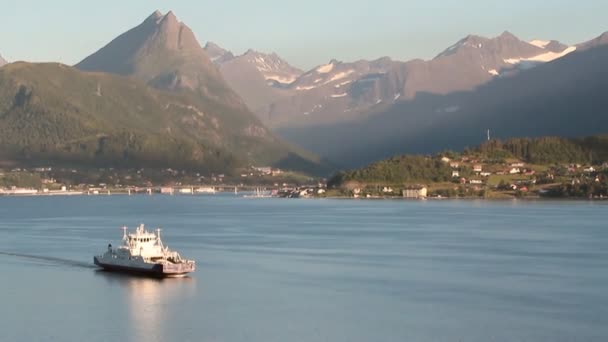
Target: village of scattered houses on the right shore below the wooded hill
{"points": [[471, 177]]}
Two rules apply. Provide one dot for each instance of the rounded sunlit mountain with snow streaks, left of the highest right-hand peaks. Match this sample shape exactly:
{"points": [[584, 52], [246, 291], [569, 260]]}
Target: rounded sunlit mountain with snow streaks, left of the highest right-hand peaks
{"points": [[336, 92]]}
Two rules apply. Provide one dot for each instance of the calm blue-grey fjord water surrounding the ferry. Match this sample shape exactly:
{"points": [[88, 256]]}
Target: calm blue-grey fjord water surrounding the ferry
{"points": [[308, 270]]}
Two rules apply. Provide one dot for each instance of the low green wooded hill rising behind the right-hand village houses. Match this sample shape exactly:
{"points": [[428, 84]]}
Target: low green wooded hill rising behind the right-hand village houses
{"points": [[547, 151]]}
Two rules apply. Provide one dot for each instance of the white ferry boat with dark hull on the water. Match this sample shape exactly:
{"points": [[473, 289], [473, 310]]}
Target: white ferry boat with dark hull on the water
{"points": [[143, 252]]}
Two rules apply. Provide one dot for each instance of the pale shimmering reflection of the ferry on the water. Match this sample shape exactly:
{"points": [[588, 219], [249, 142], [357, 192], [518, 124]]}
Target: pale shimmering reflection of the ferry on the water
{"points": [[150, 301]]}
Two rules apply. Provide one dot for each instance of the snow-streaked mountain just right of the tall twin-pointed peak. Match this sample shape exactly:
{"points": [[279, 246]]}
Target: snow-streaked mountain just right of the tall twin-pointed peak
{"points": [[259, 78]]}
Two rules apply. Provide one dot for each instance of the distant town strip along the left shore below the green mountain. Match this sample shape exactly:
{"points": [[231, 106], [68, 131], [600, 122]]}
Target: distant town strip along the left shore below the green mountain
{"points": [[108, 181]]}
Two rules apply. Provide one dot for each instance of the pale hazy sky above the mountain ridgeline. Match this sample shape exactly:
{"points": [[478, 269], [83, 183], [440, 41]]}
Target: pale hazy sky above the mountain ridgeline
{"points": [[306, 33]]}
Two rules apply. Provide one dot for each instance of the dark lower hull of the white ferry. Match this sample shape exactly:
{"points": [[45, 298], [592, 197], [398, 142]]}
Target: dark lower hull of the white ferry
{"points": [[152, 270]]}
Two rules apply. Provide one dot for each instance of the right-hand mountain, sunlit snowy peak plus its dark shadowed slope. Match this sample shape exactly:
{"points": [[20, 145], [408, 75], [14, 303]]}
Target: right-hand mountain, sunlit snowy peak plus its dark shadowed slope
{"points": [[559, 96]]}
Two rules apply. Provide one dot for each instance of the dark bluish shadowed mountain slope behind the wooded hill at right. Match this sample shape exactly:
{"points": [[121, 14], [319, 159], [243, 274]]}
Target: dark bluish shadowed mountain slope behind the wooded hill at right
{"points": [[563, 97]]}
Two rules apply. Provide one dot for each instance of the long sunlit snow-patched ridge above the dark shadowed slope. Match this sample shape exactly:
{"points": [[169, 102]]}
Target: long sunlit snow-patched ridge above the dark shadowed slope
{"points": [[341, 92]]}
